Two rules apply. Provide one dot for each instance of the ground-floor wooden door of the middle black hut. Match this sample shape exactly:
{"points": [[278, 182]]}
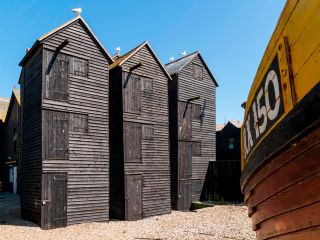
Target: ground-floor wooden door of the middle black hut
{"points": [[133, 195]]}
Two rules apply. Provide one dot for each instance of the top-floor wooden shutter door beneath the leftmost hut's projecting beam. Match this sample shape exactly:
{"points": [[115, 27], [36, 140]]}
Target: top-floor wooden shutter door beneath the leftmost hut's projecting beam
{"points": [[57, 76]]}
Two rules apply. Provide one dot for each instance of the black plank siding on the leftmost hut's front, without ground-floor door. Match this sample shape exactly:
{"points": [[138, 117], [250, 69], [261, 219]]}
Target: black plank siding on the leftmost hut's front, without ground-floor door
{"points": [[74, 95]]}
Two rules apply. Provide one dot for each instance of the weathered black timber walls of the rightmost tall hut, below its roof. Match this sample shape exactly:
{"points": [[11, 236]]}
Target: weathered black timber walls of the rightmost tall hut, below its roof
{"points": [[192, 121]]}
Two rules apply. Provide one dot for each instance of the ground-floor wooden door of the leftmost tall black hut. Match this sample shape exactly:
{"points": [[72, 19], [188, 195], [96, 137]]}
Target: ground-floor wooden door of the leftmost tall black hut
{"points": [[54, 200]]}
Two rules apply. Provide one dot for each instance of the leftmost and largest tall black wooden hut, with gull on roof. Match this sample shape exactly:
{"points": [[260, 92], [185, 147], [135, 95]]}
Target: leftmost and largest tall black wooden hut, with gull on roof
{"points": [[65, 152]]}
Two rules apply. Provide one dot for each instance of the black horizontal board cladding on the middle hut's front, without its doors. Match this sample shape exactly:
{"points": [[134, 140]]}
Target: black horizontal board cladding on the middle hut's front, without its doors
{"points": [[154, 167]]}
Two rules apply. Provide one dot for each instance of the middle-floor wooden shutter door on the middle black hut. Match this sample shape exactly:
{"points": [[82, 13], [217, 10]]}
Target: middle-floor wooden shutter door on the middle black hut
{"points": [[132, 142]]}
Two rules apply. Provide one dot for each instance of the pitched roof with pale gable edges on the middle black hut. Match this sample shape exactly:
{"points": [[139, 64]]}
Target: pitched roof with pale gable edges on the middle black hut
{"points": [[122, 59]]}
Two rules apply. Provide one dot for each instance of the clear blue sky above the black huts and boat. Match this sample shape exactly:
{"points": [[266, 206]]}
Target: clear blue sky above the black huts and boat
{"points": [[231, 35]]}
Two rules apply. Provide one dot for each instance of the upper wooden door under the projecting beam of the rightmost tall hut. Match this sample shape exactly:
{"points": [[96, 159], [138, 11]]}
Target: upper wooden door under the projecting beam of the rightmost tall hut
{"points": [[185, 121]]}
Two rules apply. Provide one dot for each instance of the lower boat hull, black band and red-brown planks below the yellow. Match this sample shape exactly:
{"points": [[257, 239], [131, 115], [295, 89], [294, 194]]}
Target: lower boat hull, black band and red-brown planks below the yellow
{"points": [[283, 191]]}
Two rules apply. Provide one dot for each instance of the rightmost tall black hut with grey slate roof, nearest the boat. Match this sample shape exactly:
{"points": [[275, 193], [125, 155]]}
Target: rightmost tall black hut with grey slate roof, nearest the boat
{"points": [[192, 127]]}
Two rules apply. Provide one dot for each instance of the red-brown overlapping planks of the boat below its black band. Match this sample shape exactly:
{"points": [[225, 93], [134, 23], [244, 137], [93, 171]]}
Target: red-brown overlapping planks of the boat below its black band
{"points": [[284, 194]]}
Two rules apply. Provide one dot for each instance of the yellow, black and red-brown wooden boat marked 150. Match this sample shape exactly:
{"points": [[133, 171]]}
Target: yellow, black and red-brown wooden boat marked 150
{"points": [[281, 143]]}
